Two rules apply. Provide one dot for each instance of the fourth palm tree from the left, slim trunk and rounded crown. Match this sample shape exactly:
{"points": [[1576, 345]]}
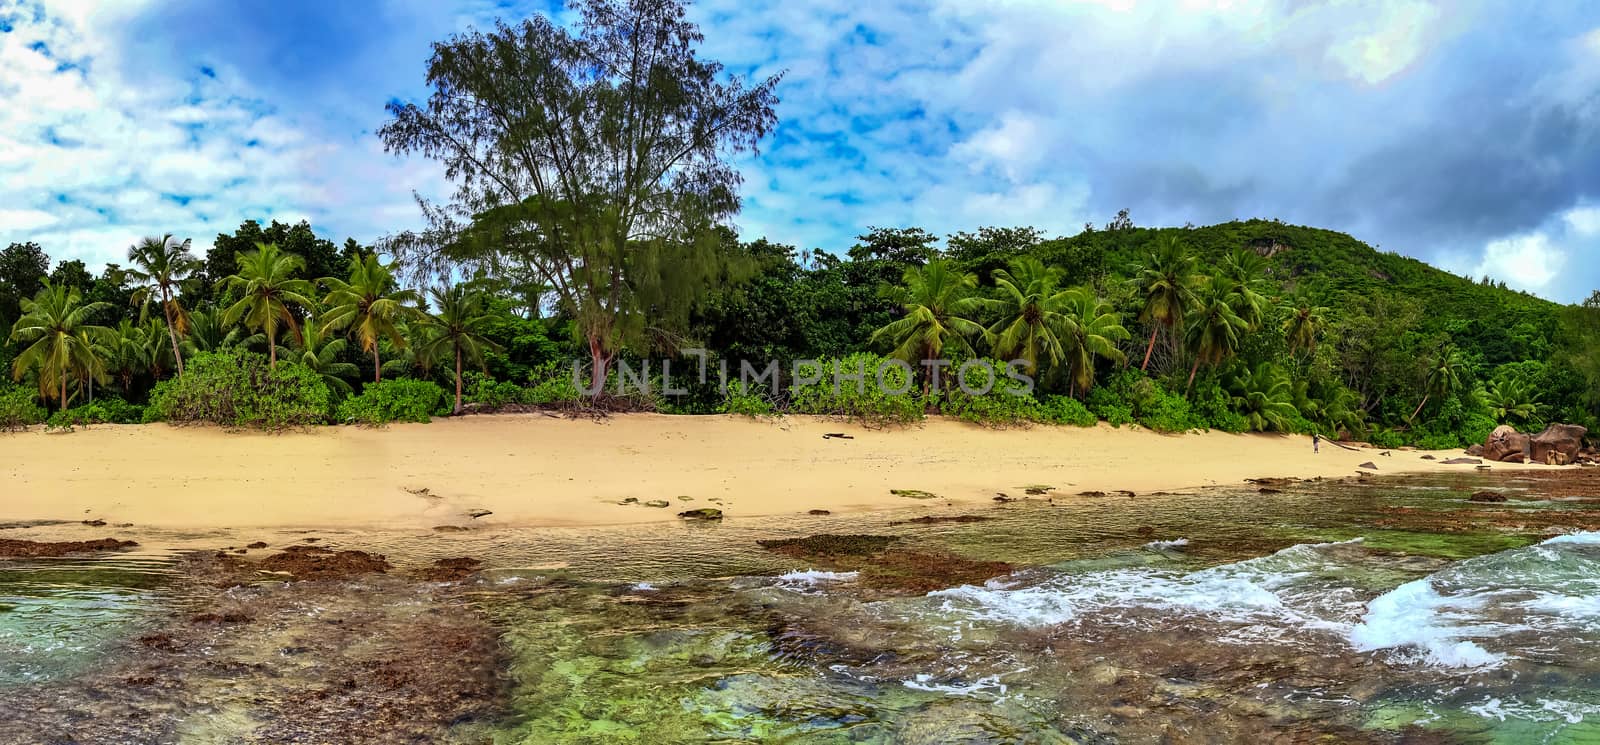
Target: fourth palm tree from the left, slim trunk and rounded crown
{"points": [[370, 305]]}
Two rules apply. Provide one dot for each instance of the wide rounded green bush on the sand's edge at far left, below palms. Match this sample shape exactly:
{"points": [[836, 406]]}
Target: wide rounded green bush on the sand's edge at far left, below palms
{"points": [[238, 389]]}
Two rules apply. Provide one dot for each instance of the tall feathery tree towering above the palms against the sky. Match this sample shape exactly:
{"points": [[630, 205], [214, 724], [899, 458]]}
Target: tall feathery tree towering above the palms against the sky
{"points": [[594, 154]]}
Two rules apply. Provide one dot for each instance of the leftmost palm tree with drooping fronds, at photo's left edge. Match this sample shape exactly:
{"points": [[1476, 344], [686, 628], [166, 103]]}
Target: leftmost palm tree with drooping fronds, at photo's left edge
{"points": [[60, 340]]}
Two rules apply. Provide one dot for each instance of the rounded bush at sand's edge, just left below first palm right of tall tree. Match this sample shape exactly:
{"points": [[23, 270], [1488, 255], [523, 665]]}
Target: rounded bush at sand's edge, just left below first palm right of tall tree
{"points": [[870, 400]]}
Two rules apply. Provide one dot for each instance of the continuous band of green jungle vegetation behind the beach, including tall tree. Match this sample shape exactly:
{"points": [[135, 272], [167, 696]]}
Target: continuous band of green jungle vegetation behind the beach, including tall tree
{"points": [[598, 229]]}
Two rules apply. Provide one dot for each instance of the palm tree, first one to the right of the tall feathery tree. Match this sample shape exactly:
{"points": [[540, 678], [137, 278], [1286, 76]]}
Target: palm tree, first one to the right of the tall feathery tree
{"points": [[938, 303]]}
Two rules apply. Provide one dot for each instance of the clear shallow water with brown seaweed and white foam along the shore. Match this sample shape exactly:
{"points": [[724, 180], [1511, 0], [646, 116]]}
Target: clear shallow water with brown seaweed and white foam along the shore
{"points": [[1380, 612]]}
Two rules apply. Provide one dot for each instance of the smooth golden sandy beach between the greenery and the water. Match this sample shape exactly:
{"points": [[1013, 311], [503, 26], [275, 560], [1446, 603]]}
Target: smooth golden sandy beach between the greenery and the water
{"points": [[540, 471]]}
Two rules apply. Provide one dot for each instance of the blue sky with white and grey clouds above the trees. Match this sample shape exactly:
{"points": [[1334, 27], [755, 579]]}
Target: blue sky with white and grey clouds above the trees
{"points": [[1460, 132]]}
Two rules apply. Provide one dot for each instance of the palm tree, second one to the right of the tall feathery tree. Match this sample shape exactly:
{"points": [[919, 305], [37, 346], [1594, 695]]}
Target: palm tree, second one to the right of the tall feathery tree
{"points": [[1030, 309]]}
